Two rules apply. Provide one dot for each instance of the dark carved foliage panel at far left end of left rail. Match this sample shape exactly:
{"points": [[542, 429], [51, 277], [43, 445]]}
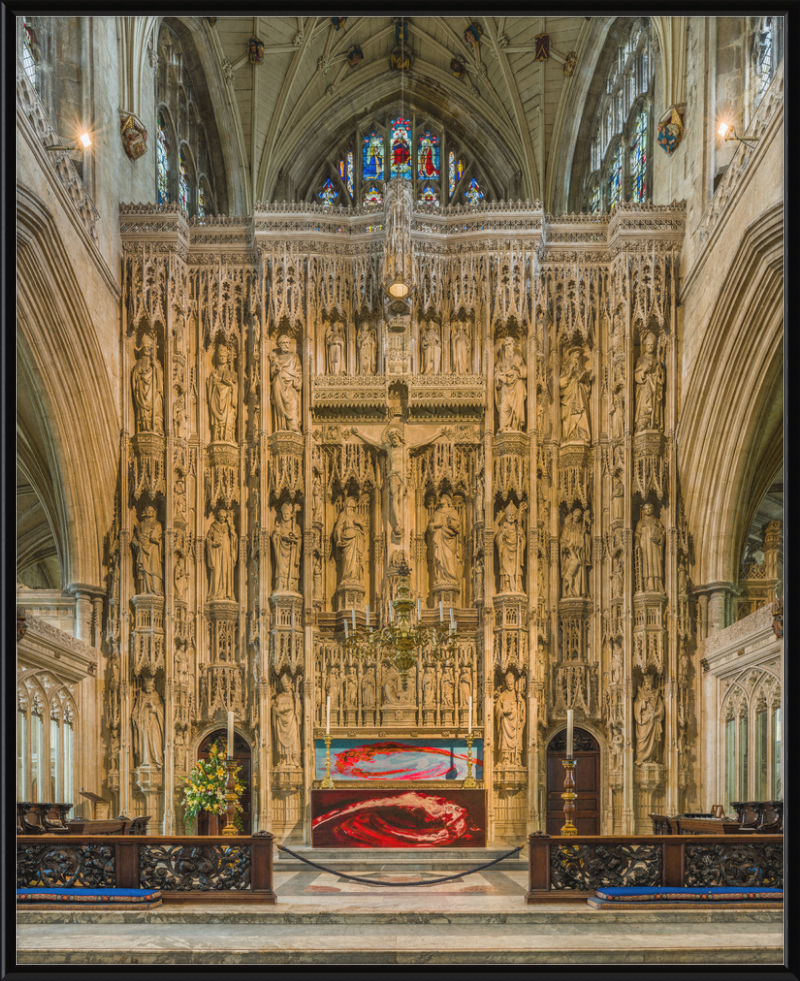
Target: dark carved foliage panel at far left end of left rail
{"points": [[66, 866]]}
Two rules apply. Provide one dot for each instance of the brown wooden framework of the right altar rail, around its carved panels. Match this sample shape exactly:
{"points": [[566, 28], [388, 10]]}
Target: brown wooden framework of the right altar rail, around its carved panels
{"points": [[673, 855]]}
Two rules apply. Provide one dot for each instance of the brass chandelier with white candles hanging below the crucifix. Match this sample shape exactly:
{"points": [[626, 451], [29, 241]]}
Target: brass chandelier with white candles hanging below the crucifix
{"points": [[403, 640]]}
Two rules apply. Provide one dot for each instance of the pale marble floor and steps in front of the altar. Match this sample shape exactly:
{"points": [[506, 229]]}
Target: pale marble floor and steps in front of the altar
{"points": [[321, 918]]}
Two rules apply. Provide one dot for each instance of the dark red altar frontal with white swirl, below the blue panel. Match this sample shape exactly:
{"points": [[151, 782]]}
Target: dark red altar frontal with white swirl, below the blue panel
{"points": [[400, 818]]}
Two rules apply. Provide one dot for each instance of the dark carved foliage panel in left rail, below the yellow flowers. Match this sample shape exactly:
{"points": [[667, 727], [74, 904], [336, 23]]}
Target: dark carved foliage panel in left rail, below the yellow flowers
{"points": [[201, 868]]}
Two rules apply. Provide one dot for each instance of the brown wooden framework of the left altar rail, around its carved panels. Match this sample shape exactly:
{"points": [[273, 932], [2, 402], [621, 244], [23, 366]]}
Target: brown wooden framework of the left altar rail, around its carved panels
{"points": [[126, 861]]}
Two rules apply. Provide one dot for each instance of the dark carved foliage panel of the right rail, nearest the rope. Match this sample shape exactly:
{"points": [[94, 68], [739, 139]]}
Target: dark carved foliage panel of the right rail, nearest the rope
{"points": [[588, 867]]}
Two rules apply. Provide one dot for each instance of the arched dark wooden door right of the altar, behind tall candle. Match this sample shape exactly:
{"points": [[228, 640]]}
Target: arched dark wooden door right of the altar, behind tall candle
{"points": [[587, 783]]}
